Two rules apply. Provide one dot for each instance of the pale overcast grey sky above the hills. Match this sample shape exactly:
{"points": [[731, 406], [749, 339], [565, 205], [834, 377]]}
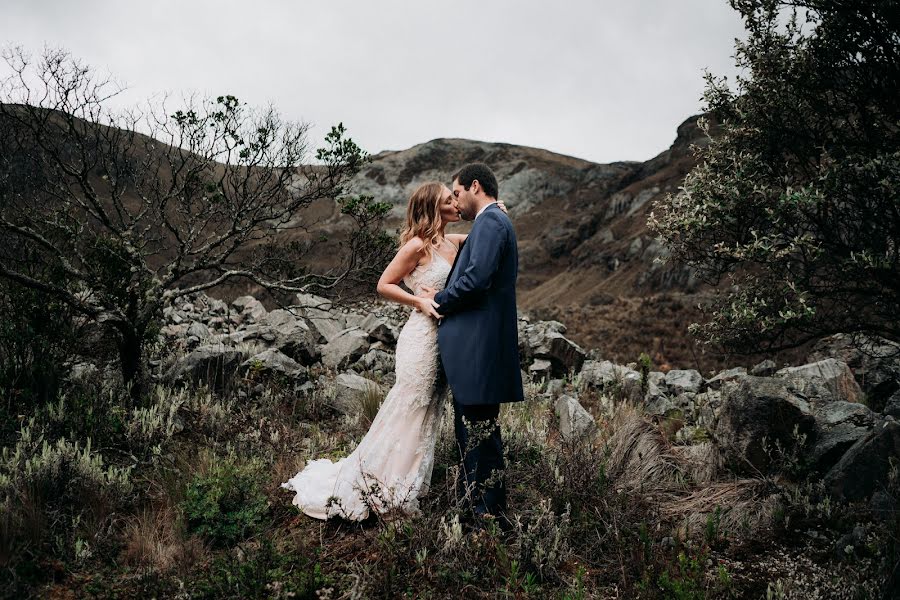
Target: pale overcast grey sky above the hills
{"points": [[596, 79]]}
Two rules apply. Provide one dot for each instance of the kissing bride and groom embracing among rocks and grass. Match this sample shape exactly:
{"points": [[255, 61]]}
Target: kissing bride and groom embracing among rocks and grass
{"points": [[462, 333]]}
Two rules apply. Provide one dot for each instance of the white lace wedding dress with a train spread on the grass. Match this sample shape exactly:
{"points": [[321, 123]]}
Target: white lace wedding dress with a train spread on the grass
{"points": [[391, 467]]}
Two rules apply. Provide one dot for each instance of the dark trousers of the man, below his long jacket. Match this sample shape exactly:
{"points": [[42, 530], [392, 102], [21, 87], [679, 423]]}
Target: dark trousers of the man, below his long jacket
{"points": [[481, 454]]}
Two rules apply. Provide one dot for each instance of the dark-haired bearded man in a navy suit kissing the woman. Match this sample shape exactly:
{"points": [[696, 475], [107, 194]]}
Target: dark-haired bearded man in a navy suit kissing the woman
{"points": [[478, 336]]}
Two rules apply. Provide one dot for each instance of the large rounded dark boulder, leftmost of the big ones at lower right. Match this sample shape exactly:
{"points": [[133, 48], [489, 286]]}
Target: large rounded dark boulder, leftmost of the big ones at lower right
{"points": [[756, 414]]}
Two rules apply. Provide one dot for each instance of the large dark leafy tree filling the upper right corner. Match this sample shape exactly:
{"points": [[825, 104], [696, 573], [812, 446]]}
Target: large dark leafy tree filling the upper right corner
{"points": [[795, 198]]}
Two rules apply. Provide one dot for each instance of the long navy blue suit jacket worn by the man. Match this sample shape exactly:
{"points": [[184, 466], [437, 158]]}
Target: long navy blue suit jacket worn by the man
{"points": [[478, 335]]}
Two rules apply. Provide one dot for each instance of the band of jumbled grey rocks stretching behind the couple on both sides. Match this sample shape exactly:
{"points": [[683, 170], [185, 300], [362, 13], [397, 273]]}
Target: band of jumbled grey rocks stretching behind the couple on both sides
{"points": [[813, 415]]}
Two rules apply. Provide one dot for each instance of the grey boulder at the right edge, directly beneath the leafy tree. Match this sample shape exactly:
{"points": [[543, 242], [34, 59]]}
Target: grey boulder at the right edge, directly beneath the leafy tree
{"points": [[875, 363]]}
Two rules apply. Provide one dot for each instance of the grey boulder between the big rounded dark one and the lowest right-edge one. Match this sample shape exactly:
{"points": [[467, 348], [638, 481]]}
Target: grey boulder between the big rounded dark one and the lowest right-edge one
{"points": [[840, 424]]}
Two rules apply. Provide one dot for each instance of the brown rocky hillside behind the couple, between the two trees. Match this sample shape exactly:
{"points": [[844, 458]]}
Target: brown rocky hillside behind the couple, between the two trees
{"points": [[586, 258]]}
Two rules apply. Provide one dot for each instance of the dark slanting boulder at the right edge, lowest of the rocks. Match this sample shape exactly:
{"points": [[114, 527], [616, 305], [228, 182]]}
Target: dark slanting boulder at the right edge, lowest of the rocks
{"points": [[865, 467]]}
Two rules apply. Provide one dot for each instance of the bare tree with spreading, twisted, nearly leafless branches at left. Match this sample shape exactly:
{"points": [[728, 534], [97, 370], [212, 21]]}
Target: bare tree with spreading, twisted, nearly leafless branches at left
{"points": [[136, 209]]}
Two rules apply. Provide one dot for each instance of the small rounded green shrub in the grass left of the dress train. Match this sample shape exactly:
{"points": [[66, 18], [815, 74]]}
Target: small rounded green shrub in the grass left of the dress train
{"points": [[227, 504]]}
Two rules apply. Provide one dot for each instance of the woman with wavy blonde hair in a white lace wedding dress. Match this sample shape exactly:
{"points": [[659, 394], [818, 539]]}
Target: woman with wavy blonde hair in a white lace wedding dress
{"points": [[391, 467]]}
